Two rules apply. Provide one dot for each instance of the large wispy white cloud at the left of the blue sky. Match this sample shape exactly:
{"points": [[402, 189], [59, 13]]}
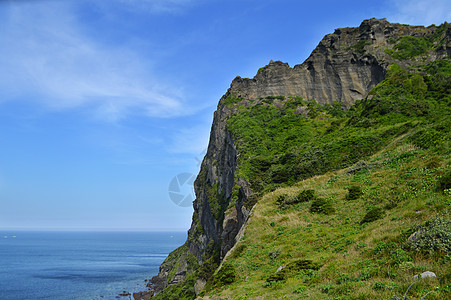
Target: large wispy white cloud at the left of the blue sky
{"points": [[46, 58]]}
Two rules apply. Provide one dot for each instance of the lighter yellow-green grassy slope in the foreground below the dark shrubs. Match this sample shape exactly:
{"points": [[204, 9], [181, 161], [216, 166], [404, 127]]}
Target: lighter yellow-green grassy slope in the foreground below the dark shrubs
{"points": [[357, 261]]}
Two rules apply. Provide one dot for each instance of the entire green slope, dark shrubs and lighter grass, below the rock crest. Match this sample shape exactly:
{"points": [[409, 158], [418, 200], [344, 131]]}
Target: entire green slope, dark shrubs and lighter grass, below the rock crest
{"points": [[404, 131]]}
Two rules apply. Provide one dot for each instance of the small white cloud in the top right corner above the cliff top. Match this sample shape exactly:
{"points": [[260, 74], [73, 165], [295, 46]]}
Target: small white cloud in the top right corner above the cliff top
{"points": [[420, 12]]}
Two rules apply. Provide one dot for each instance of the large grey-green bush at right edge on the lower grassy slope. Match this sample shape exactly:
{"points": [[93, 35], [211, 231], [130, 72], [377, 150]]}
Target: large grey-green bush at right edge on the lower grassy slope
{"points": [[432, 236]]}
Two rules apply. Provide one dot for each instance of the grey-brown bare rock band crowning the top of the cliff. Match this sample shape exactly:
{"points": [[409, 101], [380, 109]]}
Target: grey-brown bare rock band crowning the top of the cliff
{"points": [[344, 67]]}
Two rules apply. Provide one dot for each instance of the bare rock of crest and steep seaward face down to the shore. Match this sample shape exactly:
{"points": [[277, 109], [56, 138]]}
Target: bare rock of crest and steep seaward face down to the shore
{"points": [[344, 67]]}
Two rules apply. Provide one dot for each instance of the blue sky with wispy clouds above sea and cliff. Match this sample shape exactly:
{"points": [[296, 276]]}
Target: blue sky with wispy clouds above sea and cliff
{"points": [[104, 103]]}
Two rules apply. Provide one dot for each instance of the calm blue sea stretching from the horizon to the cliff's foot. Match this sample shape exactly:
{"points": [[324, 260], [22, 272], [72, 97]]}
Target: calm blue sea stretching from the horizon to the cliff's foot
{"points": [[80, 265]]}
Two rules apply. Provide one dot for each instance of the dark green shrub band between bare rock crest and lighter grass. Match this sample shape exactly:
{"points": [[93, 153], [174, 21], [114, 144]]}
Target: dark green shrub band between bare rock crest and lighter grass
{"points": [[279, 146]]}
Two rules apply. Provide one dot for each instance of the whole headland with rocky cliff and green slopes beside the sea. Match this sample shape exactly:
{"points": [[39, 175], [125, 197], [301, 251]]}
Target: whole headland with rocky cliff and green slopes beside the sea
{"points": [[332, 164]]}
